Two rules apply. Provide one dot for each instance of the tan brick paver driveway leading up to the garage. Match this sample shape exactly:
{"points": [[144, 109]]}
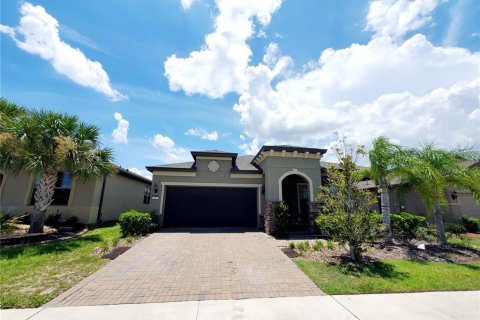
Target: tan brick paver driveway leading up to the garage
{"points": [[184, 266]]}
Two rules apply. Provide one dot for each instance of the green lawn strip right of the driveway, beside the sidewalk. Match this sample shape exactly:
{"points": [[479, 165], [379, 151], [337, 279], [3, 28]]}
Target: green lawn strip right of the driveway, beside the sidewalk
{"points": [[392, 276]]}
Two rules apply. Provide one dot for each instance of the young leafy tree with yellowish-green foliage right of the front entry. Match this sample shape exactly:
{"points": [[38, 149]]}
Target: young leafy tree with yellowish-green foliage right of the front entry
{"points": [[349, 218]]}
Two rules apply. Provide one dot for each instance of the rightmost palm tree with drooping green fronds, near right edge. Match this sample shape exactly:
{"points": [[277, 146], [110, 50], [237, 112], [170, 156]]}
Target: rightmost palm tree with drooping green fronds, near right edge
{"points": [[430, 170]]}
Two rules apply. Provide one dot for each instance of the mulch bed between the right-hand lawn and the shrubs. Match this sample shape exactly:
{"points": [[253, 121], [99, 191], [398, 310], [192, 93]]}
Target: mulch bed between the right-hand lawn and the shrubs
{"points": [[397, 251]]}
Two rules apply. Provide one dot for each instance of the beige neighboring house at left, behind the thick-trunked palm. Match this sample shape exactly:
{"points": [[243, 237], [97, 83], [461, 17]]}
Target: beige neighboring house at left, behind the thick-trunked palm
{"points": [[91, 201]]}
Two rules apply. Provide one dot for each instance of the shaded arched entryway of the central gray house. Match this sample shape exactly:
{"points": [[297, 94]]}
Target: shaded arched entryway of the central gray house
{"points": [[295, 191]]}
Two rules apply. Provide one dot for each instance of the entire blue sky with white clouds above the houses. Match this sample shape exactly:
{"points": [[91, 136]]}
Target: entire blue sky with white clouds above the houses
{"points": [[161, 78]]}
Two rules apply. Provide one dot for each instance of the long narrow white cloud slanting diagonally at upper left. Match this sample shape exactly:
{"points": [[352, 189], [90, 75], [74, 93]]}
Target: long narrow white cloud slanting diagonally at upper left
{"points": [[41, 37]]}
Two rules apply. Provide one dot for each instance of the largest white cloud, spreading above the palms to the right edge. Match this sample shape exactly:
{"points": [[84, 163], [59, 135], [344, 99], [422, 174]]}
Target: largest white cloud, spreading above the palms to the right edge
{"points": [[409, 92]]}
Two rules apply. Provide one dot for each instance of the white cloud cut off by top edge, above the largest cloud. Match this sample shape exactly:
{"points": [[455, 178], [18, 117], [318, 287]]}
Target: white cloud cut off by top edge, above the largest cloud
{"points": [[397, 17]]}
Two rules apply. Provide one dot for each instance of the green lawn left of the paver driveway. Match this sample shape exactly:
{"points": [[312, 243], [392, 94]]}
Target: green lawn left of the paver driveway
{"points": [[31, 276]]}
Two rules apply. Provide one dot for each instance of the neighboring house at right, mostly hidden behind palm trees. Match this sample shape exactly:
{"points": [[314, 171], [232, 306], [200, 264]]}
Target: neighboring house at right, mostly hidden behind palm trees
{"points": [[459, 202]]}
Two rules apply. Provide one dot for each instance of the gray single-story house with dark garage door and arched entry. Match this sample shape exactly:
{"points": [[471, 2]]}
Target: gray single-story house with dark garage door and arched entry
{"points": [[222, 189]]}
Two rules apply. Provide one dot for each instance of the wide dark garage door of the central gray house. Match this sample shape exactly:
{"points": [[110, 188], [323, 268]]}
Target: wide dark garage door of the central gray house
{"points": [[210, 207]]}
